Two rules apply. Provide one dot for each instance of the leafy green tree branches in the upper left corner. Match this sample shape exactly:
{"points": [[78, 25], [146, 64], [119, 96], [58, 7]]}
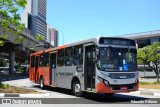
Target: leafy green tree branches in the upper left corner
{"points": [[9, 17]]}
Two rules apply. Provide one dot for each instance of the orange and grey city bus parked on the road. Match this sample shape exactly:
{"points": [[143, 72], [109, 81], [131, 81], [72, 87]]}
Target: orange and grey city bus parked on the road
{"points": [[101, 65]]}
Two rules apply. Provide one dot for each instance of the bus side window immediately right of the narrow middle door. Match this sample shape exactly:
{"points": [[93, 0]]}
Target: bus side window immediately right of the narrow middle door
{"points": [[60, 58]]}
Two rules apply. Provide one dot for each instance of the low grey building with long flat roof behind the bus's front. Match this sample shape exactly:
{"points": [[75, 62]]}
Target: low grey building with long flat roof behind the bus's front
{"points": [[144, 38]]}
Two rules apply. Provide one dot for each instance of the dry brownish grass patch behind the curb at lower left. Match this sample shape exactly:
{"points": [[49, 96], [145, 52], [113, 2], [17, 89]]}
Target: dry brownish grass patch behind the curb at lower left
{"points": [[5, 88]]}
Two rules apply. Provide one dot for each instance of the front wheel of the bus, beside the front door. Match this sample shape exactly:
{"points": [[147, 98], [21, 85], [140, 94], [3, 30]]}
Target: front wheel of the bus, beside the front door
{"points": [[76, 88]]}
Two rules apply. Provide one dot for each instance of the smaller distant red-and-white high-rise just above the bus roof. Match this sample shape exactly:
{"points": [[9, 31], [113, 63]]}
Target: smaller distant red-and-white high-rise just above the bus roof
{"points": [[54, 37]]}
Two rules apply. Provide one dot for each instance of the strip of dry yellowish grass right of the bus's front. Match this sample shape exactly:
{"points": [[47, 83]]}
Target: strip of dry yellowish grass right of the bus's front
{"points": [[149, 85]]}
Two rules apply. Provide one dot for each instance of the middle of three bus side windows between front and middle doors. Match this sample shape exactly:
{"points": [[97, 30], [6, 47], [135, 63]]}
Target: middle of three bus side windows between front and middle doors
{"points": [[68, 56]]}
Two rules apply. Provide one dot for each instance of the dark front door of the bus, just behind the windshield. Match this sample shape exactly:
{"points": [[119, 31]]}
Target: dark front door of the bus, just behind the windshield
{"points": [[89, 68]]}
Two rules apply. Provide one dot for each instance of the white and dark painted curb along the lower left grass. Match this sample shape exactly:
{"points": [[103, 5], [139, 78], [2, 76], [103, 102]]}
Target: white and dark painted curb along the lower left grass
{"points": [[24, 95]]}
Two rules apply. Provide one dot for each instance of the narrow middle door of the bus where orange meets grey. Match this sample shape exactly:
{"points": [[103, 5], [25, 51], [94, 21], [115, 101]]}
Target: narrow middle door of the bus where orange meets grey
{"points": [[53, 69]]}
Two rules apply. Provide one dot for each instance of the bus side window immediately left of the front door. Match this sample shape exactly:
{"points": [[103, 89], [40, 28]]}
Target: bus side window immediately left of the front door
{"points": [[78, 55]]}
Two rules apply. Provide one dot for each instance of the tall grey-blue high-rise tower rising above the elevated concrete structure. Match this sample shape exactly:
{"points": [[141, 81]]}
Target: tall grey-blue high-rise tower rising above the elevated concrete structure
{"points": [[34, 17]]}
